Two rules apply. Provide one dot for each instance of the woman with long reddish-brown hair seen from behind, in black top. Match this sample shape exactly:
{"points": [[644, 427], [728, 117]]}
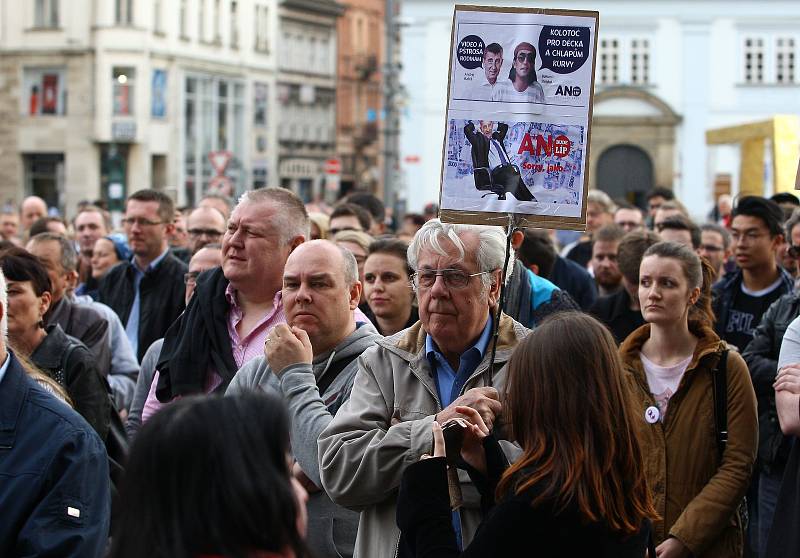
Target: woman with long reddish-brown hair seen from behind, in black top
{"points": [[579, 487]]}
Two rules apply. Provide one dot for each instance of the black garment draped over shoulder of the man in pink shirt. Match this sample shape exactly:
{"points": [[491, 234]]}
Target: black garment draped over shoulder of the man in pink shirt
{"points": [[197, 341]]}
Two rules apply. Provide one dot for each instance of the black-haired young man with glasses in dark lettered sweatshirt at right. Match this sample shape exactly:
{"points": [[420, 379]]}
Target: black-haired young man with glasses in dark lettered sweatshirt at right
{"points": [[741, 299]]}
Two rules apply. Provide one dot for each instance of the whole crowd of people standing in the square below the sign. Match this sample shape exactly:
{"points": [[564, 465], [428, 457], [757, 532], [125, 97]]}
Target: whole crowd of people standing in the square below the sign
{"points": [[267, 379]]}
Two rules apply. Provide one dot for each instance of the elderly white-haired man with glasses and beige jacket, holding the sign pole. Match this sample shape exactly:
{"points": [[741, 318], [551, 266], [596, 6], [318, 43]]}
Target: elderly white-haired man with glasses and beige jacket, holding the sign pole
{"points": [[419, 375]]}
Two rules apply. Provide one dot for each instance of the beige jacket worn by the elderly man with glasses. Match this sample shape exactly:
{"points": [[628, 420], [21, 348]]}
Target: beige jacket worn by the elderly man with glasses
{"points": [[386, 426]]}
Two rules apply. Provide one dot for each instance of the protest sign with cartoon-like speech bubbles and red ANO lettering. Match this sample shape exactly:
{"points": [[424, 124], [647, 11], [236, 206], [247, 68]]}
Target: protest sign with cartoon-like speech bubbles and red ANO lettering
{"points": [[519, 114]]}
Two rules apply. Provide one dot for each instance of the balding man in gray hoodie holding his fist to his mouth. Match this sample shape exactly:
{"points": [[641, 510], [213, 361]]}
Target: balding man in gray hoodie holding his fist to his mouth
{"points": [[310, 361]]}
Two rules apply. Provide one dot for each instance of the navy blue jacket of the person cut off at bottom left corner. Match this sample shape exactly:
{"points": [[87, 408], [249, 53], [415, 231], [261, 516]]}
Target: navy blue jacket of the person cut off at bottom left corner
{"points": [[50, 461]]}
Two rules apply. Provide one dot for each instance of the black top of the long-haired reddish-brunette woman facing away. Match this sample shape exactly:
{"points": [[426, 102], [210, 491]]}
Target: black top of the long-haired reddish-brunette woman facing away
{"points": [[511, 528]]}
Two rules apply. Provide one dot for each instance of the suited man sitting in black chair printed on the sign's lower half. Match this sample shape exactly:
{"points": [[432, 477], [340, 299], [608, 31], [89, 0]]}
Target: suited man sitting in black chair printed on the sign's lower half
{"points": [[492, 167]]}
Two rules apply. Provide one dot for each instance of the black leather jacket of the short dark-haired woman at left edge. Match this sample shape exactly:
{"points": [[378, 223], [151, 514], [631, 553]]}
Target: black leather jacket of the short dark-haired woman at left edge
{"points": [[78, 375]]}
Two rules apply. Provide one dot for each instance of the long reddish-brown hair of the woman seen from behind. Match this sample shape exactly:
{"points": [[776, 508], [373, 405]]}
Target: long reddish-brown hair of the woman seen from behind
{"points": [[569, 411]]}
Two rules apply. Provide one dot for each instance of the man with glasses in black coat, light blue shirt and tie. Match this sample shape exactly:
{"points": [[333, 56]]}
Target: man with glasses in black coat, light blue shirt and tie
{"points": [[147, 292]]}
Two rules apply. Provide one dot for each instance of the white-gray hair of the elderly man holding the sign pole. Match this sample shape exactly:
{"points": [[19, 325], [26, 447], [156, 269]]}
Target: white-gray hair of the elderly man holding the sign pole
{"points": [[491, 245]]}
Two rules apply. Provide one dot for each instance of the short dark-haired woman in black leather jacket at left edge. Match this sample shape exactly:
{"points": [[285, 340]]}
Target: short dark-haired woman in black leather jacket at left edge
{"points": [[28, 287]]}
